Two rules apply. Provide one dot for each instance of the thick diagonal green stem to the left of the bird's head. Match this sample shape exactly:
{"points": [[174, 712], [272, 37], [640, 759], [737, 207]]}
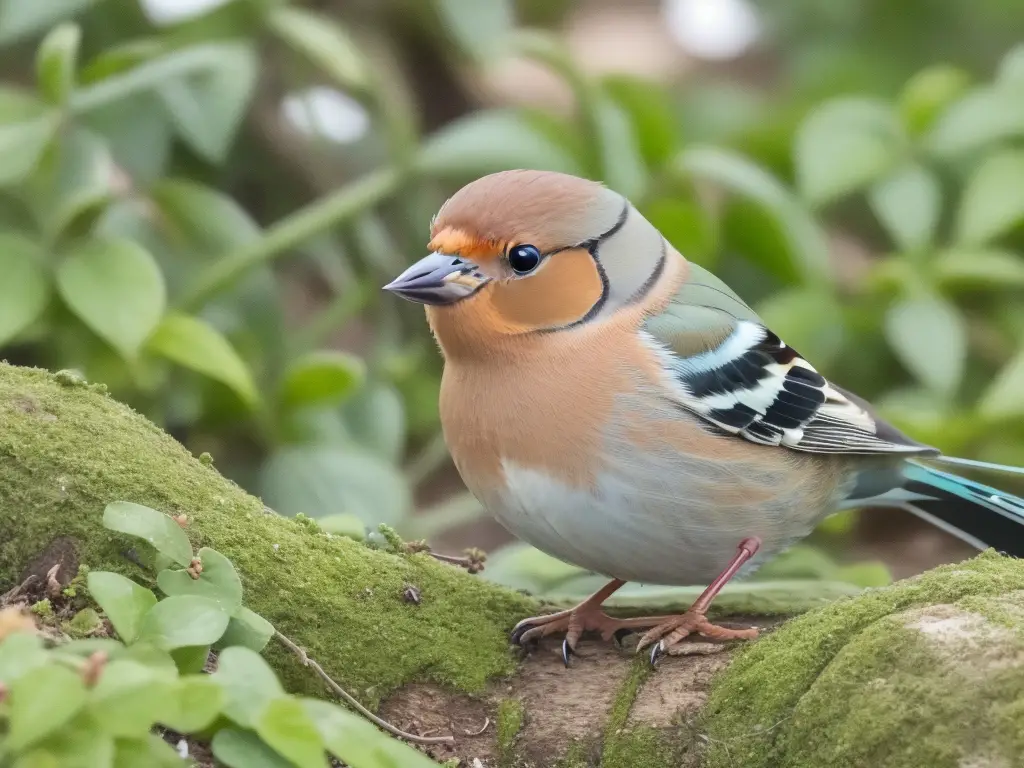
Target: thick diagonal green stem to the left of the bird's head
{"points": [[291, 232]]}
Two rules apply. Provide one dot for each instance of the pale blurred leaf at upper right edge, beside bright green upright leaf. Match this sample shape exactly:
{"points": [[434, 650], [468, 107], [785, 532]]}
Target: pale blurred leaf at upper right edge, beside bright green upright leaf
{"points": [[983, 117]]}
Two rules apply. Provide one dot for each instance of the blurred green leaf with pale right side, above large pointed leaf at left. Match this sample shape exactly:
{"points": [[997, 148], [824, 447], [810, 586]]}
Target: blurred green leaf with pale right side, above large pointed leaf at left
{"points": [[77, 178]]}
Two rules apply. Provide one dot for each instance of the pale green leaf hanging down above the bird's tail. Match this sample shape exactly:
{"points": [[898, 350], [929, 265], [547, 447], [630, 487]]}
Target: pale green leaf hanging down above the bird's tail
{"points": [[928, 335]]}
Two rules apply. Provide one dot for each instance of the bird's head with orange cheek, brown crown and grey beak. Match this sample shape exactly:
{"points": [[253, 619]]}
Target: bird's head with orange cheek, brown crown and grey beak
{"points": [[522, 252]]}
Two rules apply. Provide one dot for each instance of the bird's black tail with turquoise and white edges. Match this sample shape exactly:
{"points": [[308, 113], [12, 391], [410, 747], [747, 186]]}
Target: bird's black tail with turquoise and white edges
{"points": [[956, 495]]}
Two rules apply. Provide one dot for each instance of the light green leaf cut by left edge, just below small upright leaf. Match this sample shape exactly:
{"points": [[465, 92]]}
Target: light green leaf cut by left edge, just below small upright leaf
{"points": [[27, 127]]}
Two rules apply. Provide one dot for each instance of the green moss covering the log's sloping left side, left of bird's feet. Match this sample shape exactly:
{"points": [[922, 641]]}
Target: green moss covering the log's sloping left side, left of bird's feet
{"points": [[67, 451]]}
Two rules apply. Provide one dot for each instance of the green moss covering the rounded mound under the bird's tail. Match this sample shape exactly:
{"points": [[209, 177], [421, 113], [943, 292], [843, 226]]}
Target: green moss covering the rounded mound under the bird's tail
{"points": [[851, 686]]}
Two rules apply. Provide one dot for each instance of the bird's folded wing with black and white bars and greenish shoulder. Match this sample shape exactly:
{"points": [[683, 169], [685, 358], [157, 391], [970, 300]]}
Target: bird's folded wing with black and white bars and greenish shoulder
{"points": [[737, 374]]}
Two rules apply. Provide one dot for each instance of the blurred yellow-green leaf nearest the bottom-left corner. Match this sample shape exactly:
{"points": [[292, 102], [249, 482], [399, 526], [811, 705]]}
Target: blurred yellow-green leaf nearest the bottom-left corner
{"points": [[40, 703]]}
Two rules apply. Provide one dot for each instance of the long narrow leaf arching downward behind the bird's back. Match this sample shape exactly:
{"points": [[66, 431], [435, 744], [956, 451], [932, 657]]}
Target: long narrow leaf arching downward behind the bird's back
{"points": [[807, 246]]}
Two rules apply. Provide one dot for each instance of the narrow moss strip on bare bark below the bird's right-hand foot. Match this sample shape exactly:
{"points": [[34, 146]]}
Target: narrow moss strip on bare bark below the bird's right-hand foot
{"points": [[641, 747]]}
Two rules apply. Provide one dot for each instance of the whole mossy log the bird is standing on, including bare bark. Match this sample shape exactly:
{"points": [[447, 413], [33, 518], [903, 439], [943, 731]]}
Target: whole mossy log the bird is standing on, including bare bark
{"points": [[929, 672]]}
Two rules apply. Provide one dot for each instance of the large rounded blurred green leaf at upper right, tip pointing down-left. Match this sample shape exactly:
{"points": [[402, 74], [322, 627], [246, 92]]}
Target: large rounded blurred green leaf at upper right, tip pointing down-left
{"points": [[844, 146]]}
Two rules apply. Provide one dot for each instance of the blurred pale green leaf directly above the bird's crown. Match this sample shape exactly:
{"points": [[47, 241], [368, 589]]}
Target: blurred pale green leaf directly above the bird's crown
{"points": [[489, 142]]}
